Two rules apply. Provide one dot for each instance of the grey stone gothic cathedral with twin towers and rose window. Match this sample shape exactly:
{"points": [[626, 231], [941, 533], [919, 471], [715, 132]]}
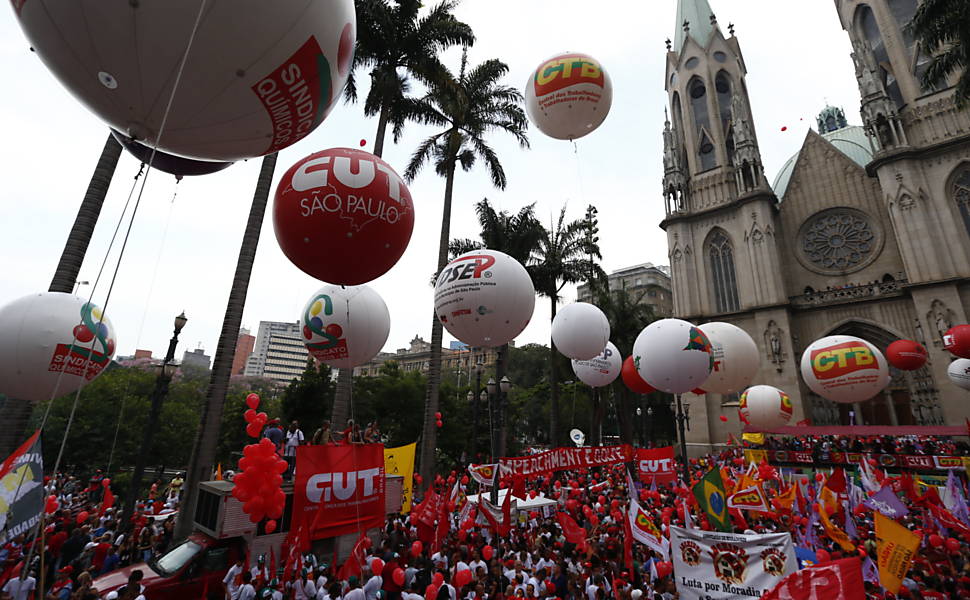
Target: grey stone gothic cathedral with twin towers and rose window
{"points": [[865, 231]]}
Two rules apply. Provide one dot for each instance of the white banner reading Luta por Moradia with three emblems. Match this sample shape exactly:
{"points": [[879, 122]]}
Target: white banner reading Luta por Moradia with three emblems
{"points": [[710, 565]]}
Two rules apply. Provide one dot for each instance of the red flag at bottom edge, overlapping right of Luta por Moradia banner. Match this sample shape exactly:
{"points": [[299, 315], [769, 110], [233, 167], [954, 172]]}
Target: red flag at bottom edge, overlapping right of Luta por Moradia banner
{"points": [[835, 580]]}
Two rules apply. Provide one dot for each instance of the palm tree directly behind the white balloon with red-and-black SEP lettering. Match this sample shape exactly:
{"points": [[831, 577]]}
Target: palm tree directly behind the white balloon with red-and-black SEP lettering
{"points": [[518, 236]]}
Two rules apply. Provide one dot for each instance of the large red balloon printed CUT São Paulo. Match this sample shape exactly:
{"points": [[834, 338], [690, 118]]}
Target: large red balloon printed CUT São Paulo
{"points": [[343, 216]]}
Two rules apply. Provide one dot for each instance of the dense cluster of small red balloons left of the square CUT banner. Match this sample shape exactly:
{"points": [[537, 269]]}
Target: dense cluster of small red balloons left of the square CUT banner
{"points": [[257, 485]]}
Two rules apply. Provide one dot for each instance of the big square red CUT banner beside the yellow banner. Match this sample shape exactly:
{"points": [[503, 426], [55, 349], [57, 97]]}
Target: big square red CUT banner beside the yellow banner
{"points": [[339, 489]]}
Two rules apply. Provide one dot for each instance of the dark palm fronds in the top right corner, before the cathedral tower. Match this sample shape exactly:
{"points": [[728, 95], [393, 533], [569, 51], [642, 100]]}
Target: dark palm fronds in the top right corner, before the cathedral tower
{"points": [[942, 30]]}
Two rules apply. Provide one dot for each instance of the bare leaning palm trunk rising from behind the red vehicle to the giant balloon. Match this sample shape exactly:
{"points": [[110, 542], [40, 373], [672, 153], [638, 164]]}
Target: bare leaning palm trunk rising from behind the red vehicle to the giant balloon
{"points": [[207, 438]]}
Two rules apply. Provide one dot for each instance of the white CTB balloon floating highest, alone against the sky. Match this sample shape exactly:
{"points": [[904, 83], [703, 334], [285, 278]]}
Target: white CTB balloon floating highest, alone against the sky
{"points": [[568, 96]]}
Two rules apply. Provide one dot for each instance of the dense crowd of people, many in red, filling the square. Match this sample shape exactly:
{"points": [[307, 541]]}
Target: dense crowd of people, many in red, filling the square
{"points": [[537, 559]]}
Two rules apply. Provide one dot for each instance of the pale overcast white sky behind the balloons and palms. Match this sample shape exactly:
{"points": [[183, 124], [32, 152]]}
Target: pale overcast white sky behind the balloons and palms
{"points": [[182, 251]]}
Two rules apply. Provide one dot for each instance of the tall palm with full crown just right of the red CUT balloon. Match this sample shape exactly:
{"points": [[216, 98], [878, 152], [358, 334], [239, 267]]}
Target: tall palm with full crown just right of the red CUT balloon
{"points": [[467, 107]]}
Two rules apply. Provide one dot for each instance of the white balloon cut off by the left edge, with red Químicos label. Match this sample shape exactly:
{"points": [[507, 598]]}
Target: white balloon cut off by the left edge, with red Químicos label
{"points": [[54, 344]]}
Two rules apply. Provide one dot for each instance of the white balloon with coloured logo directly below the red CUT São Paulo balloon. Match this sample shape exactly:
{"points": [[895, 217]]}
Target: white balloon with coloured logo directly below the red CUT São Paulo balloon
{"points": [[345, 326]]}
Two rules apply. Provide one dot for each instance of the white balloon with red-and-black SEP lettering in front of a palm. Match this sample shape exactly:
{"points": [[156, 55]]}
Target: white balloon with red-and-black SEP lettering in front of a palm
{"points": [[484, 298]]}
